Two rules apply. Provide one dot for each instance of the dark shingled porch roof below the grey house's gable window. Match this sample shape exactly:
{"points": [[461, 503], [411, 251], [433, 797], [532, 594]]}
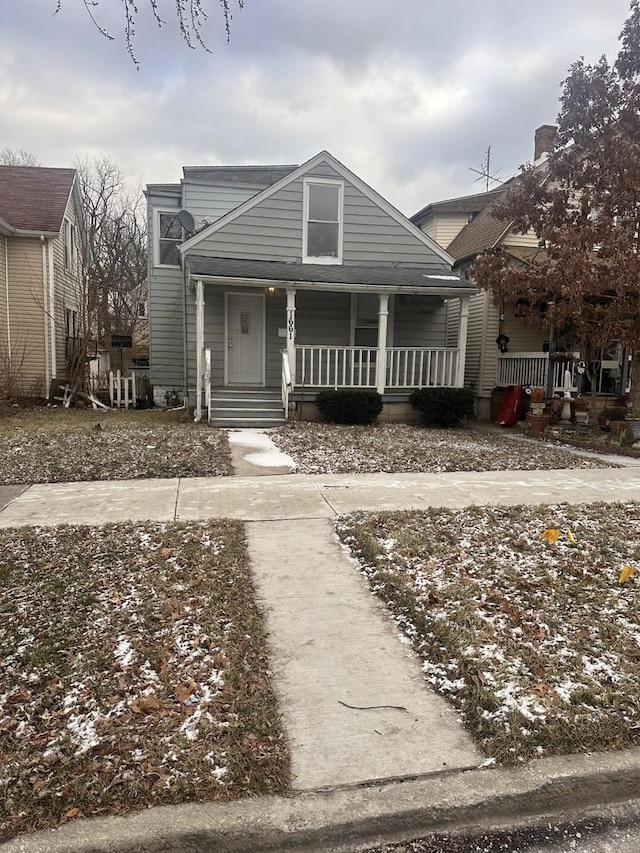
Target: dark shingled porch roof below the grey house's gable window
{"points": [[330, 275]]}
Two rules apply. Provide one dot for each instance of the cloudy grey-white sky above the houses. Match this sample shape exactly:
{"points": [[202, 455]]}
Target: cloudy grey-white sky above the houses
{"points": [[408, 94]]}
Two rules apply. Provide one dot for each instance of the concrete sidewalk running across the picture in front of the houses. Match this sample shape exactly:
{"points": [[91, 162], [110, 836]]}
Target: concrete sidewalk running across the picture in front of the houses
{"points": [[272, 497]]}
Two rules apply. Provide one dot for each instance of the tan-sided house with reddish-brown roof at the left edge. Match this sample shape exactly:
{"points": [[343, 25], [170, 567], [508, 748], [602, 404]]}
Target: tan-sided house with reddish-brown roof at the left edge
{"points": [[40, 277]]}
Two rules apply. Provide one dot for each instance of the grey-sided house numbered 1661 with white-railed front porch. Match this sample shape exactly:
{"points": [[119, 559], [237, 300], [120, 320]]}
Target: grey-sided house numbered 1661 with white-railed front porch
{"points": [[268, 284]]}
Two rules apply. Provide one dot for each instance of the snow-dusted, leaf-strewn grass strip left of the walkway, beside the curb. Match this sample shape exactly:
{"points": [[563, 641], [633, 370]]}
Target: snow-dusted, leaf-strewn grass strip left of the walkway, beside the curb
{"points": [[133, 672]]}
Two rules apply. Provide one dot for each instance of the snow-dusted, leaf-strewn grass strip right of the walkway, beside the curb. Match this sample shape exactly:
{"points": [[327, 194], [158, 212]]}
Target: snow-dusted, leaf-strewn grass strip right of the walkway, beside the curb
{"points": [[519, 616]]}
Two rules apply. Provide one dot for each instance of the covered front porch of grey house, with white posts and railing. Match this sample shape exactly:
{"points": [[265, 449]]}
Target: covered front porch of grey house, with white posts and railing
{"points": [[308, 337]]}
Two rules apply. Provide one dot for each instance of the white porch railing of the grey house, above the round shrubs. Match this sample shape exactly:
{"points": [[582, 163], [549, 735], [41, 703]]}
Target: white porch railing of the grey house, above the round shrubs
{"points": [[356, 367]]}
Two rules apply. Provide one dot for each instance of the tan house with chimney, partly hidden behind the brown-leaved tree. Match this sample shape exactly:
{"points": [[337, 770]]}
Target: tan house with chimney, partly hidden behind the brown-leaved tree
{"points": [[502, 350]]}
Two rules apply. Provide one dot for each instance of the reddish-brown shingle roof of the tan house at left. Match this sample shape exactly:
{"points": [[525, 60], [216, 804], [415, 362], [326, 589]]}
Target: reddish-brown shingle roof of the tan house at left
{"points": [[34, 198]]}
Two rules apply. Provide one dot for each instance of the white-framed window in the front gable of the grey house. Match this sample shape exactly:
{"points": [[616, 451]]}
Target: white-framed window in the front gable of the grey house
{"points": [[323, 215]]}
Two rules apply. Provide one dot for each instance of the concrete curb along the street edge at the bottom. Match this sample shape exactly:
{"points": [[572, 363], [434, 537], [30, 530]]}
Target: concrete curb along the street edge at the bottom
{"points": [[459, 803]]}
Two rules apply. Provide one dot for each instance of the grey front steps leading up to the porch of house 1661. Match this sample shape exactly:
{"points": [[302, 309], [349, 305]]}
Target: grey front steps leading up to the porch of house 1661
{"points": [[246, 408]]}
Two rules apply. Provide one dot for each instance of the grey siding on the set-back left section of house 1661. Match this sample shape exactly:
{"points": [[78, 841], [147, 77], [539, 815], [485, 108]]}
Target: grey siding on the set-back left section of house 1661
{"points": [[166, 309]]}
